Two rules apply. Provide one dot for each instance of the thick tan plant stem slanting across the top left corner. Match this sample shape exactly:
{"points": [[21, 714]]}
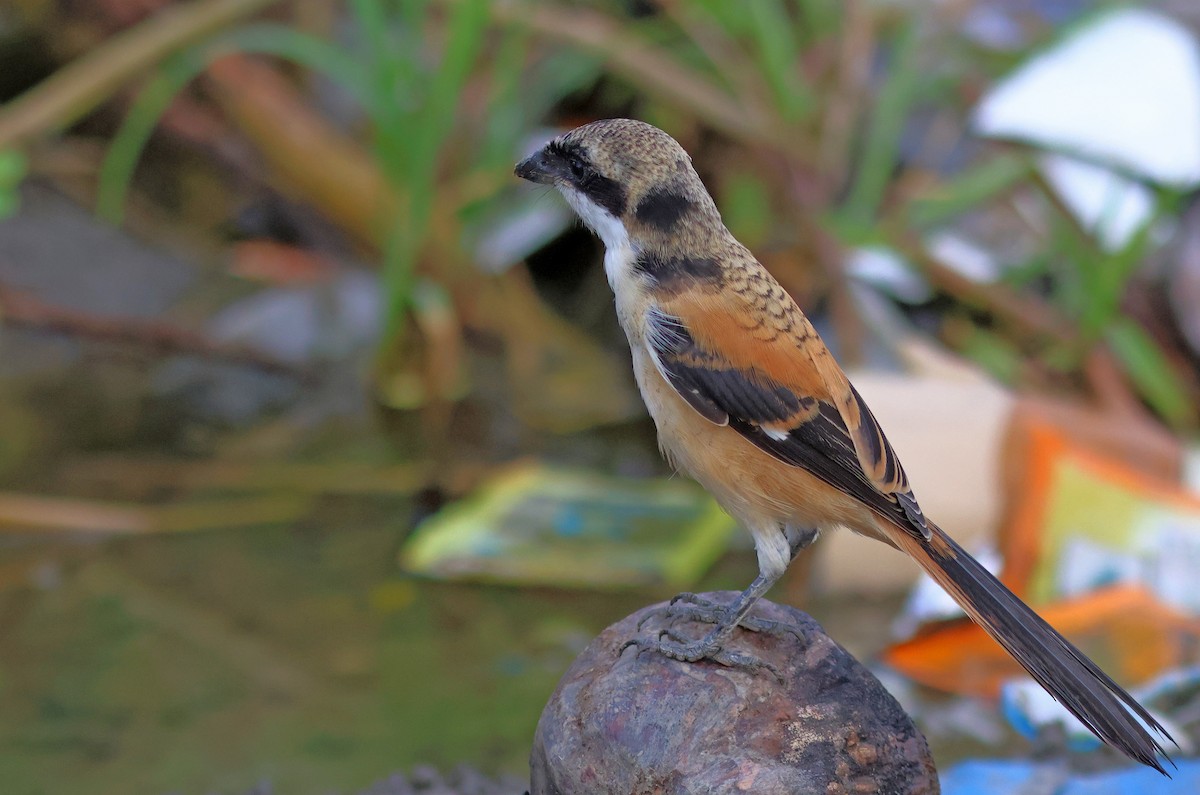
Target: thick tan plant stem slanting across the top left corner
{"points": [[80, 87]]}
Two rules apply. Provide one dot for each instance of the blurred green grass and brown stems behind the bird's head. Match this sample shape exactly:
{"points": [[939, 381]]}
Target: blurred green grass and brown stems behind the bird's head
{"points": [[831, 127]]}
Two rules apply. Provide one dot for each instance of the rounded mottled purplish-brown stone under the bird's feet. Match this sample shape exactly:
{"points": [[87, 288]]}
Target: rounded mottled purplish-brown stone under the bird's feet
{"points": [[644, 724]]}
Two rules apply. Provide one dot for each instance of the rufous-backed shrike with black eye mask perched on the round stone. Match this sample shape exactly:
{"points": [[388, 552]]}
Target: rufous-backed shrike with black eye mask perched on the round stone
{"points": [[751, 403]]}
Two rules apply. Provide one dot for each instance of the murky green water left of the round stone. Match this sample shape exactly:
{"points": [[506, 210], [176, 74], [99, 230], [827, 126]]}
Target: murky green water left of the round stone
{"points": [[213, 662]]}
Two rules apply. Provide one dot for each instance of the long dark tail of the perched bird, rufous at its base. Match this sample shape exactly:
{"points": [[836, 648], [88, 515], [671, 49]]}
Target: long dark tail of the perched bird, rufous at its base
{"points": [[1065, 672]]}
